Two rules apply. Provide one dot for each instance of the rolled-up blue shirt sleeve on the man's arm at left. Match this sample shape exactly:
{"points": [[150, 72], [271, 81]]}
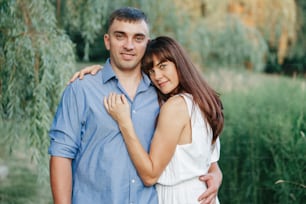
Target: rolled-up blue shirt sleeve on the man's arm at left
{"points": [[65, 131]]}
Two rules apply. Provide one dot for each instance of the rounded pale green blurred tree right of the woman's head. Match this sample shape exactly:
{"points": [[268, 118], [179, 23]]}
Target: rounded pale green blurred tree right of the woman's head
{"points": [[230, 44]]}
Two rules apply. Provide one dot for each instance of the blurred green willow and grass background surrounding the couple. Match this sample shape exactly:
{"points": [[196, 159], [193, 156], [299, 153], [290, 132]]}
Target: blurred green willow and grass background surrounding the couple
{"points": [[253, 52]]}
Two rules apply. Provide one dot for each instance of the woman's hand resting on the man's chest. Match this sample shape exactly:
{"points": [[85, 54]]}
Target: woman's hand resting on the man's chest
{"points": [[118, 107]]}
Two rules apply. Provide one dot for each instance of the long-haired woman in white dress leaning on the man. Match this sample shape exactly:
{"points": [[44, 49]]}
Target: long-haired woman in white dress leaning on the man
{"points": [[185, 141]]}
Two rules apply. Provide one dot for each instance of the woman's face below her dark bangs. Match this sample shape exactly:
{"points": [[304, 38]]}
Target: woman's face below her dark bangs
{"points": [[164, 76]]}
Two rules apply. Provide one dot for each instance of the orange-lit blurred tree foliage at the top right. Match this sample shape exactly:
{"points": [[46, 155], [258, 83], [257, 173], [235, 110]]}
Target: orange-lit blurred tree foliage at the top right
{"points": [[278, 27]]}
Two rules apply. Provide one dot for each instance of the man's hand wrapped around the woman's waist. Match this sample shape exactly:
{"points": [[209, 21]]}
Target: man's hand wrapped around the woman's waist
{"points": [[213, 180]]}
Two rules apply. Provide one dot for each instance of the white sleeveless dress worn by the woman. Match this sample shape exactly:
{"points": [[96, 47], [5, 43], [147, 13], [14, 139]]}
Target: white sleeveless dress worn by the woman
{"points": [[179, 183]]}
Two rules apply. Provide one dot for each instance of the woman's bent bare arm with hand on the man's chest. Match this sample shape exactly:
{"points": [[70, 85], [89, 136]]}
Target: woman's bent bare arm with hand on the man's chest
{"points": [[166, 136]]}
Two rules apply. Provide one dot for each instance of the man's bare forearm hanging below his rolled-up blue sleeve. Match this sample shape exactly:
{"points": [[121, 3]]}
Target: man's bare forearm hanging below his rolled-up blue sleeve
{"points": [[61, 179]]}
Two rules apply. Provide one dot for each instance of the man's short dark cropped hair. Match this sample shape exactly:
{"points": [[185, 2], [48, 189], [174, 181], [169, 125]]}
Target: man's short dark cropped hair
{"points": [[128, 14]]}
